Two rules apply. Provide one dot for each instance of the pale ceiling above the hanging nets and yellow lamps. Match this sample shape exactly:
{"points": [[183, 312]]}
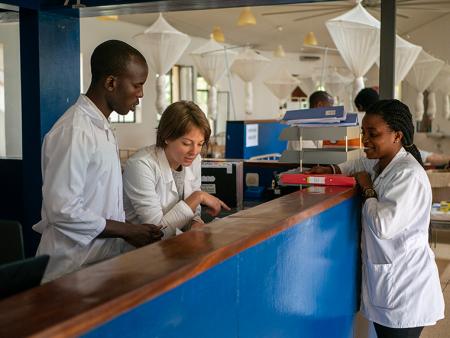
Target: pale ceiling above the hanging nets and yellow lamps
{"points": [[288, 24]]}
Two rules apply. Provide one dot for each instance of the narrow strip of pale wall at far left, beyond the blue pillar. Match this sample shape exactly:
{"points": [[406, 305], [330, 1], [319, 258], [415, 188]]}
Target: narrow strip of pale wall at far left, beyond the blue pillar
{"points": [[9, 37]]}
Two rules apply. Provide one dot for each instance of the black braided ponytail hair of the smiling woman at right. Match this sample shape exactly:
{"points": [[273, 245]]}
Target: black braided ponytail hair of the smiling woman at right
{"points": [[398, 117]]}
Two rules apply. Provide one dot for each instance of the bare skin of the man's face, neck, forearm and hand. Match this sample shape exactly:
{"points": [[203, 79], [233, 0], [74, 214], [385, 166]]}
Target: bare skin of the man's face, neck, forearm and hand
{"points": [[121, 93]]}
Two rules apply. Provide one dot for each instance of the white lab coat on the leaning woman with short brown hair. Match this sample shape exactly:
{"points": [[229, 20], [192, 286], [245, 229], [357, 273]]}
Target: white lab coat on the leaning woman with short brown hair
{"points": [[150, 193]]}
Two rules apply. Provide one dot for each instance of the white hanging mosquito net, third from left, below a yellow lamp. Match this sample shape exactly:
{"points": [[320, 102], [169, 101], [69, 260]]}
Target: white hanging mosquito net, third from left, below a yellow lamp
{"points": [[248, 65]]}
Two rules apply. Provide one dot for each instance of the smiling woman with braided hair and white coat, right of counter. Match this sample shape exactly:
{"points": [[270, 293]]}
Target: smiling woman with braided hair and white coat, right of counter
{"points": [[401, 292]]}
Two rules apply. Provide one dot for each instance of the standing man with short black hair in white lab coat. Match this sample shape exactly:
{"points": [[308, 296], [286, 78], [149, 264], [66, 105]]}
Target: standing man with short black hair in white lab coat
{"points": [[82, 209]]}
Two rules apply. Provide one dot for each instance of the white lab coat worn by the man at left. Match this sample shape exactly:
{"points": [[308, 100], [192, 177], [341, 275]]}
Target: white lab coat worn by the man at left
{"points": [[82, 187]]}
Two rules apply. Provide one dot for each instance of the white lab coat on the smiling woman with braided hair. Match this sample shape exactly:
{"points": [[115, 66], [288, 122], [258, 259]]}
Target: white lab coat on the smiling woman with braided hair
{"points": [[400, 280]]}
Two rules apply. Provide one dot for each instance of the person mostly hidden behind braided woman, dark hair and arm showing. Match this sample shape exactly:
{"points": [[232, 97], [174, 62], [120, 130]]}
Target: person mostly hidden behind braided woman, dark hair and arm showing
{"points": [[368, 96]]}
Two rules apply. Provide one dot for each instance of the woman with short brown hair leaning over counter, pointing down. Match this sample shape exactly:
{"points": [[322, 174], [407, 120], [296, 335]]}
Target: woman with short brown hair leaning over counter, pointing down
{"points": [[162, 182]]}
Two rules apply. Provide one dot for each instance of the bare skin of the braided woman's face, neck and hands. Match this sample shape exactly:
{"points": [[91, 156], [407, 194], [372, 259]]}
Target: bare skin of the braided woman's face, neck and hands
{"points": [[380, 142]]}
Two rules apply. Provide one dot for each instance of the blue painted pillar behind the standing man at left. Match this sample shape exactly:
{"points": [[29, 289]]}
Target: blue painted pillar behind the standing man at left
{"points": [[50, 75]]}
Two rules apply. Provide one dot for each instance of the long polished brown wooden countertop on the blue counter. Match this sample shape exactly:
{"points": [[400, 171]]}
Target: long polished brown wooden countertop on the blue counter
{"points": [[76, 303]]}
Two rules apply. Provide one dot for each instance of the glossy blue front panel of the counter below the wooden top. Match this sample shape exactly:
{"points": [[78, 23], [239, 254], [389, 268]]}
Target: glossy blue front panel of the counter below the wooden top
{"points": [[303, 282]]}
